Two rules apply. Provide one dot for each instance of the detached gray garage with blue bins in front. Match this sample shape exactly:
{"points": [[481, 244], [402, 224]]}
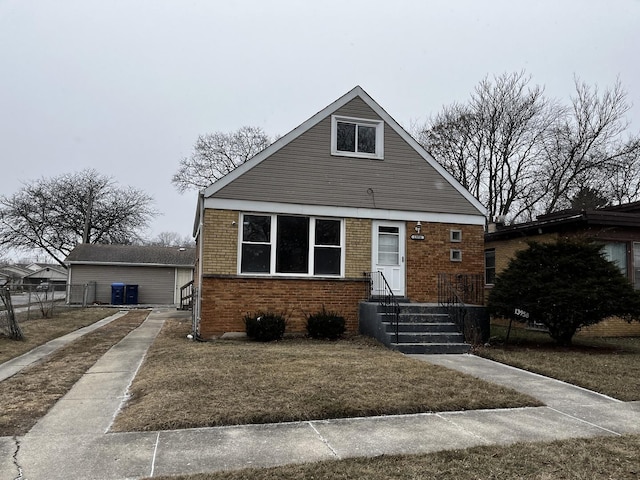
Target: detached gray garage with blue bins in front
{"points": [[158, 272]]}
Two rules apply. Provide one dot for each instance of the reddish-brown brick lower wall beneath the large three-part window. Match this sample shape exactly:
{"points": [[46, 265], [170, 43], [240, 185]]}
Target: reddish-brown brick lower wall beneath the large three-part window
{"points": [[226, 300]]}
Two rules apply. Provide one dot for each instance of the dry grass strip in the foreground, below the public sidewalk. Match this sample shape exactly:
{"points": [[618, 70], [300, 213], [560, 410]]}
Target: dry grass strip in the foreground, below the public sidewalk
{"points": [[602, 457]]}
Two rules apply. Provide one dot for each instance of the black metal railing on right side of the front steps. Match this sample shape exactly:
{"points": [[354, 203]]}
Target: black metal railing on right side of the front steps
{"points": [[456, 292]]}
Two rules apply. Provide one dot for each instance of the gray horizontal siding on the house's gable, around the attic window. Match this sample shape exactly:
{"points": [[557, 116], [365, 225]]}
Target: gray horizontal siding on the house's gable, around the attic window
{"points": [[305, 172]]}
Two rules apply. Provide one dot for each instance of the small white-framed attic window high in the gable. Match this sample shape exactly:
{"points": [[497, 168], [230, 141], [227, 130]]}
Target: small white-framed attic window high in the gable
{"points": [[357, 137]]}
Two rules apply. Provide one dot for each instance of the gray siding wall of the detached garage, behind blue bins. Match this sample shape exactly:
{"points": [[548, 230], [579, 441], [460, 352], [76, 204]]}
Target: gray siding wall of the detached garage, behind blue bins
{"points": [[156, 285]]}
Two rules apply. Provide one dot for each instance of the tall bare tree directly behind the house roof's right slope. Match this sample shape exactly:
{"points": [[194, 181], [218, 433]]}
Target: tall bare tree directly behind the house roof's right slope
{"points": [[492, 144]]}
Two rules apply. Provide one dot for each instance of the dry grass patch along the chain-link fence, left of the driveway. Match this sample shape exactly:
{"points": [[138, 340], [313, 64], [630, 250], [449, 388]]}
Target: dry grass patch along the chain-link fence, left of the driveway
{"points": [[40, 330]]}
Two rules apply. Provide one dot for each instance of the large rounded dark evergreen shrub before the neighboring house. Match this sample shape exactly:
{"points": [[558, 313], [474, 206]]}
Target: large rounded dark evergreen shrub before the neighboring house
{"points": [[565, 286]]}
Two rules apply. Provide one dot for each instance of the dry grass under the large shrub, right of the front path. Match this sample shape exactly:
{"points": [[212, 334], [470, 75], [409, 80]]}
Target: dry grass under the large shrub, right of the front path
{"points": [[607, 365]]}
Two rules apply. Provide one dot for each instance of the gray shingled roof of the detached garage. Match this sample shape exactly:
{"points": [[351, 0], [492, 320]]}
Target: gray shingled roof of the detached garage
{"points": [[131, 255]]}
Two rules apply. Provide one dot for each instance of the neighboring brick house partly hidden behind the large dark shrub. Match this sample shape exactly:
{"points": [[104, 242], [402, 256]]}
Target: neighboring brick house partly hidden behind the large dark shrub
{"points": [[616, 228]]}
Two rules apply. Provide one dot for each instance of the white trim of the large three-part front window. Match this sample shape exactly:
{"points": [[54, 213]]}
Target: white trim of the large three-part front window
{"points": [[273, 243]]}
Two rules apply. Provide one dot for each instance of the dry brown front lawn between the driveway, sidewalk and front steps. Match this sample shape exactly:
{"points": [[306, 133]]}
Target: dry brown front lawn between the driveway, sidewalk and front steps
{"points": [[238, 382]]}
